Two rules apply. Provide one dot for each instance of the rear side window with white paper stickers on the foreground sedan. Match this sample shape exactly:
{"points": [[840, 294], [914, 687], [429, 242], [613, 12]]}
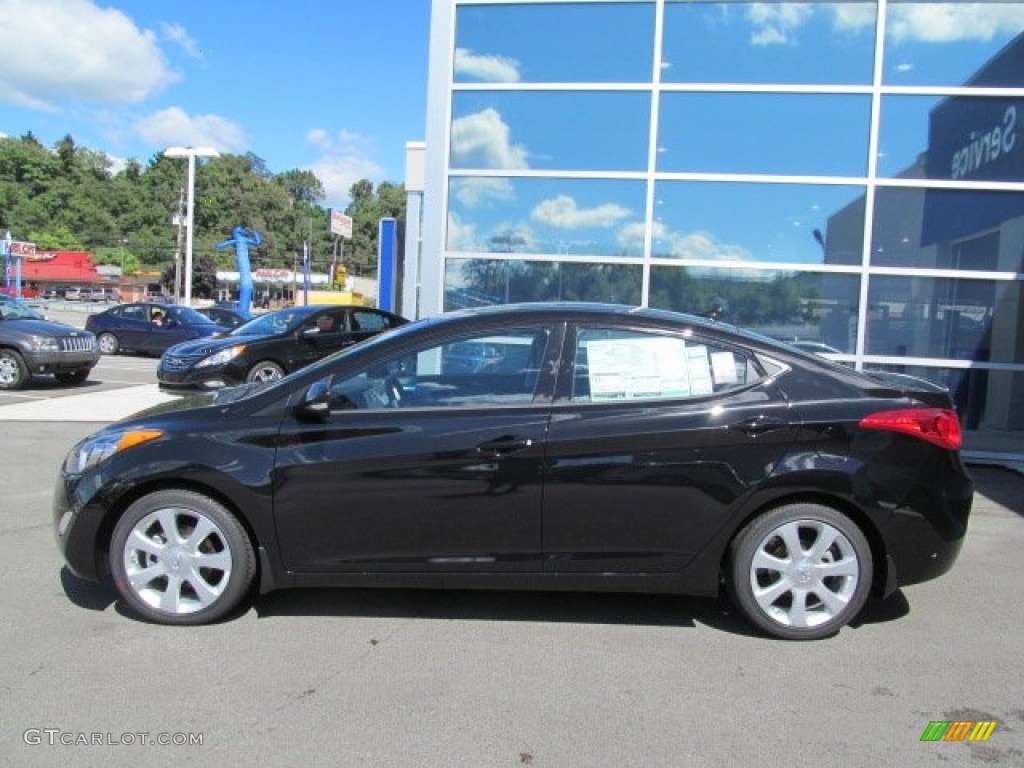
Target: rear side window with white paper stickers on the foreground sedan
{"points": [[627, 365]]}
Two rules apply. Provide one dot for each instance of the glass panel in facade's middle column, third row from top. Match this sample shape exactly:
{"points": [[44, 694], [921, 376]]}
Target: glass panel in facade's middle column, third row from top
{"points": [[734, 222]]}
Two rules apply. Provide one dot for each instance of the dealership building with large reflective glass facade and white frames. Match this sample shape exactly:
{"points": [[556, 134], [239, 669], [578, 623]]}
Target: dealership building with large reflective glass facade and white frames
{"points": [[847, 175]]}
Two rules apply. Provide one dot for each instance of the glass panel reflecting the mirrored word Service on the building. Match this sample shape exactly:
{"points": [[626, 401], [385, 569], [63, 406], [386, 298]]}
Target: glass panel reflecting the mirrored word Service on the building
{"points": [[969, 139]]}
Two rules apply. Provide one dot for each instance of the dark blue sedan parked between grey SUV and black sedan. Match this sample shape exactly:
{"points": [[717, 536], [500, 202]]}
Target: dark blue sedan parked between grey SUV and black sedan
{"points": [[148, 328]]}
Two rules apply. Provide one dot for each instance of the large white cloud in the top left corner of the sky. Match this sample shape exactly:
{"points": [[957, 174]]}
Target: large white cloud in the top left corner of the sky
{"points": [[57, 51]]}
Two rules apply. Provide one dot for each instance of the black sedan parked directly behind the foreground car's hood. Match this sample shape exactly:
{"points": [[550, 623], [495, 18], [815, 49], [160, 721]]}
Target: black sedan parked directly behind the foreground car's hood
{"points": [[271, 346]]}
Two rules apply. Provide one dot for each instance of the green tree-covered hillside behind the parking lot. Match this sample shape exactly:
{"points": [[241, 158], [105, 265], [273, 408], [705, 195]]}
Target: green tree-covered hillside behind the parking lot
{"points": [[67, 198]]}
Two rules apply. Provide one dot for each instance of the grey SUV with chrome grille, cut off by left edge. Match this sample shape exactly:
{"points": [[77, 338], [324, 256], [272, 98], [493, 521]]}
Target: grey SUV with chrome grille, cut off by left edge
{"points": [[30, 345]]}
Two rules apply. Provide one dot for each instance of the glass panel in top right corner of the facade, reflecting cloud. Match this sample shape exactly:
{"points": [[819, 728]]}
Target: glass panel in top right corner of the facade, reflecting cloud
{"points": [[957, 45]]}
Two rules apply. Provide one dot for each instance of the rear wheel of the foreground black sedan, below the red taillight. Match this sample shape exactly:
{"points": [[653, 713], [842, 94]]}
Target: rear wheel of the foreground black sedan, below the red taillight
{"points": [[807, 595]]}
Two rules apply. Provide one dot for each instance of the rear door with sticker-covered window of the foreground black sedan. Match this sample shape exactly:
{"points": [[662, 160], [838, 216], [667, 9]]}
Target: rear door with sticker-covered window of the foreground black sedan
{"points": [[656, 436]]}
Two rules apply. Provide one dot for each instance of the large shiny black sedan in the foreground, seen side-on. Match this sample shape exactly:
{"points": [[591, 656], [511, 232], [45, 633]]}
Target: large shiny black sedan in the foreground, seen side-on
{"points": [[599, 449]]}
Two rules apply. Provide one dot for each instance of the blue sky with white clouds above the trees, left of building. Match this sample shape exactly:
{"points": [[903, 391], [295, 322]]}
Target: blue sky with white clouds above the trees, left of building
{"points": [[337, 87]]}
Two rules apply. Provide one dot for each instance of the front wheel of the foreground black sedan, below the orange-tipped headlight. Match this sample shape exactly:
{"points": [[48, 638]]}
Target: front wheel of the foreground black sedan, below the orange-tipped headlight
{"points": [[167, 573]]}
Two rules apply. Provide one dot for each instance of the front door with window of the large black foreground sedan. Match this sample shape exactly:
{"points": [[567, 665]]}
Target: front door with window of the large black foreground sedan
{"points": [[417, 470]]}
